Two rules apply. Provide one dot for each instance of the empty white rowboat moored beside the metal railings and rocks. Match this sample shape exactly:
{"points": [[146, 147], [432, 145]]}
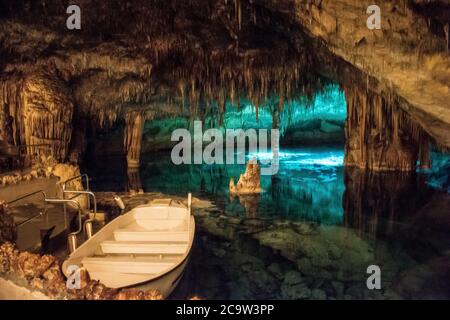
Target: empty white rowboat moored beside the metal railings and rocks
{"points": [[146, 248]]}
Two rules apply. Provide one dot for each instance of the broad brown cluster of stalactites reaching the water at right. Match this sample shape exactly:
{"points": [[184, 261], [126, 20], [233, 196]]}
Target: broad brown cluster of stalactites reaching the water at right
{"points": [[380, 135]]}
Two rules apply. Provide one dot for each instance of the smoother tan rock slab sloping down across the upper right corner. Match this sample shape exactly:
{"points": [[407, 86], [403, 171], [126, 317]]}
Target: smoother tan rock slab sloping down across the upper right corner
{"points": [[408, 56]]}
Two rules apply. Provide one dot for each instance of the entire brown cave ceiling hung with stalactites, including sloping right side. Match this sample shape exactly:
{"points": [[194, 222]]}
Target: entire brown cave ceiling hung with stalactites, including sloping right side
{"points": [[172, 57]]}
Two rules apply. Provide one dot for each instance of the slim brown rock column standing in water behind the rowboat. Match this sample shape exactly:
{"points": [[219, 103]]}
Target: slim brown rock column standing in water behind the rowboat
{"points": [[134, 126]]}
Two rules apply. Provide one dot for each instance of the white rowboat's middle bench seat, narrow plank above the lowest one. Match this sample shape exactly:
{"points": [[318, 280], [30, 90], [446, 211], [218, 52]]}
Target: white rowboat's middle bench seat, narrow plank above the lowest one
{"points": [[135, 247]]}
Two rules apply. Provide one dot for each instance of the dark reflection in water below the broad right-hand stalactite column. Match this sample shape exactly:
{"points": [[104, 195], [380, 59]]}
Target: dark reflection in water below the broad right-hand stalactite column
{"points": [[378, 204]]}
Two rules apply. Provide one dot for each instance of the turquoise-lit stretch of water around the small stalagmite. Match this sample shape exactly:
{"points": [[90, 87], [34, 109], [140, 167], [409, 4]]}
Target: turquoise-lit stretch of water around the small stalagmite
{"points": [[309, 184]]}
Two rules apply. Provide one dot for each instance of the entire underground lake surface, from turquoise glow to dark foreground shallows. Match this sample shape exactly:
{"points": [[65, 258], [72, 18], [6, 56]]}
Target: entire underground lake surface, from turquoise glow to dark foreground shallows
{"points": [[312, 233]]}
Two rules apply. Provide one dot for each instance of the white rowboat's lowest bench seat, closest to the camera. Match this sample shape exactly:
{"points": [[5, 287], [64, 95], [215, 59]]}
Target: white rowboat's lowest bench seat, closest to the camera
{"points": [[129, 264]]}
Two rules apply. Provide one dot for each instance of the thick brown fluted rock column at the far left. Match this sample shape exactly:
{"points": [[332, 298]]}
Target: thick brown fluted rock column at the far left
{"points": [[41, 107]]}
